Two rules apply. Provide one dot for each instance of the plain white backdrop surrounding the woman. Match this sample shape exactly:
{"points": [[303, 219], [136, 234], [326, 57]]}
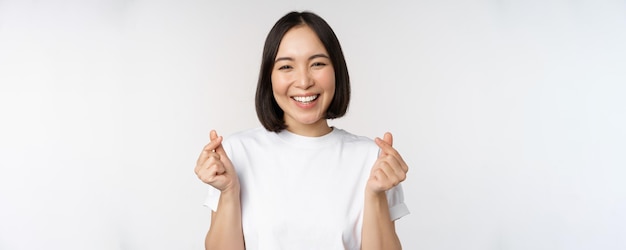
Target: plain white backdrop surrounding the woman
{"points": [[511, 115]]}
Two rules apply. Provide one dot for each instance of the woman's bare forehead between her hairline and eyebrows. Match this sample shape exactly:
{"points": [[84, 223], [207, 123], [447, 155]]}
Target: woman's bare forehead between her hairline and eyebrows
{"points": [[300, 40]]}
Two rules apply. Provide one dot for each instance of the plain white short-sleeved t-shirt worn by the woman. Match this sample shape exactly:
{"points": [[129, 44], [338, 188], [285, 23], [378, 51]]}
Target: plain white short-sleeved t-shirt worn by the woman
{"points": [[302, 192]]}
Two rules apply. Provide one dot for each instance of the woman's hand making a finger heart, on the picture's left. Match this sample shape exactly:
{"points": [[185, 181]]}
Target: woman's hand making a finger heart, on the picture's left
{"points": [[214, 166]]}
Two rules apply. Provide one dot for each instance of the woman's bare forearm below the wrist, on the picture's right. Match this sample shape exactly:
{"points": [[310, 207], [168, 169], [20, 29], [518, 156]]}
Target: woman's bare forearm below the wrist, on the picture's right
{"points": [[378, 230]]}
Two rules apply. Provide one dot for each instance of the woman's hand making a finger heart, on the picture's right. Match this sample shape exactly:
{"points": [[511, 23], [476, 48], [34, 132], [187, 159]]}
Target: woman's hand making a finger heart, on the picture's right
{"points": [[389, 169]]}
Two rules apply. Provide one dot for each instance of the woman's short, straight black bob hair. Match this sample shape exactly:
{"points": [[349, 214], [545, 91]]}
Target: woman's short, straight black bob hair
{"points": [[267, 110]]}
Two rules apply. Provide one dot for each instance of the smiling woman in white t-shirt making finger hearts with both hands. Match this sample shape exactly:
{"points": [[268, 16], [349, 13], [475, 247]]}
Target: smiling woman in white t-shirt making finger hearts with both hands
{"points": [[298, 183]]}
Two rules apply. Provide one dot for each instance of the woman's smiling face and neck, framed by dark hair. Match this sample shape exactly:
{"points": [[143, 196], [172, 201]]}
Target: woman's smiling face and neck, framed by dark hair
{"points": [[303, 81]]}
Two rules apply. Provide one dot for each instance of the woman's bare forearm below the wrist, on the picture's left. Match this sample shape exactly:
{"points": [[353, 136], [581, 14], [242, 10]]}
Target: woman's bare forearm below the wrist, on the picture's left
{"points": [[226, 230]]}
